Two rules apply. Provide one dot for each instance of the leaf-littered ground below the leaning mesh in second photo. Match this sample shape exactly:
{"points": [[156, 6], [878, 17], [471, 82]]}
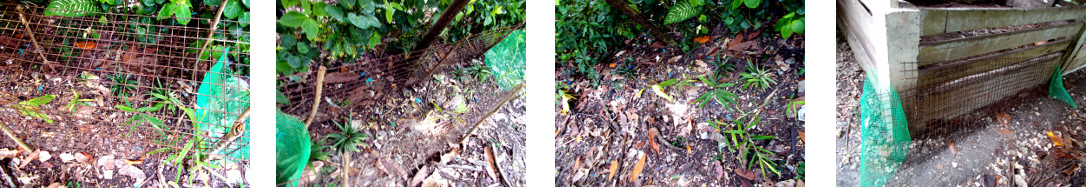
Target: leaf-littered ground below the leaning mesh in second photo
{"points": [[415, 136]]}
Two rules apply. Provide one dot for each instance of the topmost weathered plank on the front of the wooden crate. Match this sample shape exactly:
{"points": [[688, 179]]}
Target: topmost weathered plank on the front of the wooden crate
{"points": [[958, 19]]}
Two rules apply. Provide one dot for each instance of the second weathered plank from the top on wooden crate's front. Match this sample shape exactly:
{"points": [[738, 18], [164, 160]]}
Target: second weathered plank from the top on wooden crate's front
{"points": [[976, 46]]}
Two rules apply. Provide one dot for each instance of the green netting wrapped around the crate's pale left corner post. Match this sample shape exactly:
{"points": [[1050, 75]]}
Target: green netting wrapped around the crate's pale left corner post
{"points": [[886, 137]]}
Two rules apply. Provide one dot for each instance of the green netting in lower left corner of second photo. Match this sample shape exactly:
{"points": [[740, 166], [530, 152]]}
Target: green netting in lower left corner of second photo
{"points": [[292, 149]]}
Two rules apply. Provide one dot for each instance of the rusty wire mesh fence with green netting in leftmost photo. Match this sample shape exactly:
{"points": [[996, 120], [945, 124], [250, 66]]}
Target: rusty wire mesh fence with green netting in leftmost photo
{"points": [[105, 80]]}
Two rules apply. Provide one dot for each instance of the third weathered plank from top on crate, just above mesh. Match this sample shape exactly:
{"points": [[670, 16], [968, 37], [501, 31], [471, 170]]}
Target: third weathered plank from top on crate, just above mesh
{"points": [[951, 72]]}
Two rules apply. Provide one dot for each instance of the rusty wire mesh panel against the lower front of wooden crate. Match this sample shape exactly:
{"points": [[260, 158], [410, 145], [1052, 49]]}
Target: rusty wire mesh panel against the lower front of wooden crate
{"points": [[946, 96]]}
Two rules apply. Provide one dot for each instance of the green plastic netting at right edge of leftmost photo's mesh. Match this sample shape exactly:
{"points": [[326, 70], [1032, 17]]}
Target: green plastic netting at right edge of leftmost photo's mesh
{"points": [[223, 93]]}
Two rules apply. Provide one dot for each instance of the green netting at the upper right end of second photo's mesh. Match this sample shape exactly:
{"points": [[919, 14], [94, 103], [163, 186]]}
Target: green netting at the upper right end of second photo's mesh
{"points": [[507, 60]]}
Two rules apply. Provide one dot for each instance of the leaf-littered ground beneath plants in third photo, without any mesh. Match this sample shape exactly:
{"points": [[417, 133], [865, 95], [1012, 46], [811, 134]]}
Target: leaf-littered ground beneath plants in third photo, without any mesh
{"points": [[616, 121]]}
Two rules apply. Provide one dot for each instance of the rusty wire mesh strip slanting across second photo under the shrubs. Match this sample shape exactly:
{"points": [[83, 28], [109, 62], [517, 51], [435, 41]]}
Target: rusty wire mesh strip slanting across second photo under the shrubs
{"points": [[380, 78]]}
